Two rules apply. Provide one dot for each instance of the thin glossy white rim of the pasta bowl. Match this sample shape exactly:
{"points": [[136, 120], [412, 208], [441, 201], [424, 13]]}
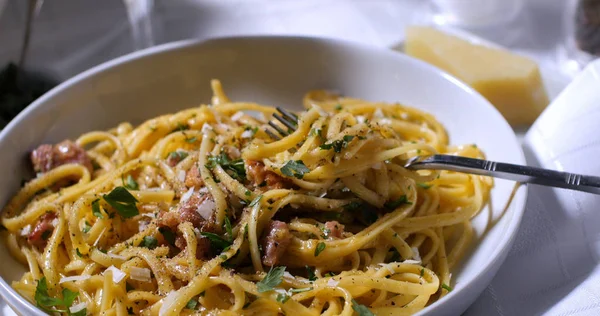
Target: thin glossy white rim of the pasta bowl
{"points": [[22, 306]]}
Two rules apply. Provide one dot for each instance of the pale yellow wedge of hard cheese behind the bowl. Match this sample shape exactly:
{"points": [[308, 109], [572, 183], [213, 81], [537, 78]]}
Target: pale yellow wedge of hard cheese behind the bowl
{"points": [[512, 83]]}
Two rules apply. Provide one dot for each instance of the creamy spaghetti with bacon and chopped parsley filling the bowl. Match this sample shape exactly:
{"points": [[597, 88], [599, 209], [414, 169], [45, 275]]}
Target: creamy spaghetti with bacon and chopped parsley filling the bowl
{"points": [[202, 211]]}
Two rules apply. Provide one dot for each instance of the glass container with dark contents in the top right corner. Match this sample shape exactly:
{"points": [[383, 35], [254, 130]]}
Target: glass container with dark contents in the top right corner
{"points": [[581, 43]]}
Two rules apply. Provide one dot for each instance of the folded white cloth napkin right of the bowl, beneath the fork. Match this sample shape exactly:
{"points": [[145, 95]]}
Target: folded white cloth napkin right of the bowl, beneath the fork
{"points": [[553, 266]]}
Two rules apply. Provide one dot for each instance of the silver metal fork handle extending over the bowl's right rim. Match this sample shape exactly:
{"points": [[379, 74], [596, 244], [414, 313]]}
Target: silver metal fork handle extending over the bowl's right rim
{"points": [[524, 174]]}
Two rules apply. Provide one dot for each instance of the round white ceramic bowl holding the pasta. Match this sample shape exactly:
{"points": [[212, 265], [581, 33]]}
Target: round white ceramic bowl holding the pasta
{"points": [[277, 71]]}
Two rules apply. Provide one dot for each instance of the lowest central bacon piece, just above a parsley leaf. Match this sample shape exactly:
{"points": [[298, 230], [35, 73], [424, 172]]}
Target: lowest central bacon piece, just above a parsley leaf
{"points": [[275, 242]]}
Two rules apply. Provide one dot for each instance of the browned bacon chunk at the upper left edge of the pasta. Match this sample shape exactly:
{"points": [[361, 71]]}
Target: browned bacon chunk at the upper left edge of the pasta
{"points": [[47, 157]]}
